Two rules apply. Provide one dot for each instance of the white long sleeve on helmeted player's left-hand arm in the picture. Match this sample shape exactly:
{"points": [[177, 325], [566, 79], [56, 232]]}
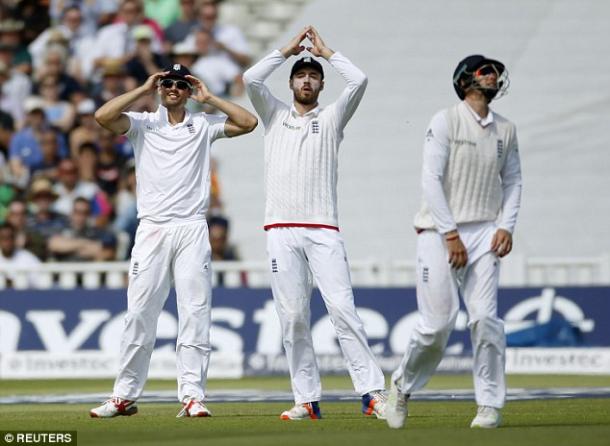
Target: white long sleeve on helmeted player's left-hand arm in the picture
{"points": [[436, 156]]}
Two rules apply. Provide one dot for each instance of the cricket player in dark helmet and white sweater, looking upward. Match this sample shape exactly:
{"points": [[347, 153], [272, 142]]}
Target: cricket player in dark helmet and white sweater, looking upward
{"points": [[471, 182]]}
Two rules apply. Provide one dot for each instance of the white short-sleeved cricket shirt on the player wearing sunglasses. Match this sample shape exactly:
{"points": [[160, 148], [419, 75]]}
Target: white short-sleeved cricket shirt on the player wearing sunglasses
{"points": [[173, 164]]}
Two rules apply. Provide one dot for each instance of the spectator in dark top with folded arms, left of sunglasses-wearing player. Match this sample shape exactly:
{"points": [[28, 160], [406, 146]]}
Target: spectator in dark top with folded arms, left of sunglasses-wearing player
{"points": [[81, 241]]}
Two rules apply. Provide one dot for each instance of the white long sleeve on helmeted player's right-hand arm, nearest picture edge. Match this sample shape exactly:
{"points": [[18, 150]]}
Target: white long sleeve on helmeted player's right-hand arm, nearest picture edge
{"points": [[511, 186]]}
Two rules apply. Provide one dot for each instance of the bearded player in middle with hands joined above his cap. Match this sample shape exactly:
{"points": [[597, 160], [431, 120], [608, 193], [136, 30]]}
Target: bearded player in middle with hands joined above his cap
{"points": [[301, 154]]}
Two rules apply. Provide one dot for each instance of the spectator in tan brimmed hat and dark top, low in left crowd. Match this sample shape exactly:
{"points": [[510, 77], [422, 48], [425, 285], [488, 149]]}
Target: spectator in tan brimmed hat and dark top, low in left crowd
{"points": [[44, 222]]}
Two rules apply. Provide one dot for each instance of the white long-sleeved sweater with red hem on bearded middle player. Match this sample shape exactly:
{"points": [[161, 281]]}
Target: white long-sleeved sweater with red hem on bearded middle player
{"points": [[301, 152]]}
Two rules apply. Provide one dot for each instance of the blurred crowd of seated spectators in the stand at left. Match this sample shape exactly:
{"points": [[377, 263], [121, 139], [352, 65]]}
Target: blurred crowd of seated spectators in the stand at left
{"points": [[67, 186]]}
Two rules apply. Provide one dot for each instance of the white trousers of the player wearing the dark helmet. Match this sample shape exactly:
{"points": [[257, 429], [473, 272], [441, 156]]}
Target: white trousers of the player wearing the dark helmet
{"points": [[438, 304]]}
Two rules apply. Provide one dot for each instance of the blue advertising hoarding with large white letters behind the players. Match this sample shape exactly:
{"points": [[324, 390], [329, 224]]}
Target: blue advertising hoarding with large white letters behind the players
{"points": [[245, 324]]}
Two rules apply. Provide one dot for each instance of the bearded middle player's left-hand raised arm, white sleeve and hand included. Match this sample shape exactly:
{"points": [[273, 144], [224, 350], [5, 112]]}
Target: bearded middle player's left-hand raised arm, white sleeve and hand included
{"points": [[261, 97]]}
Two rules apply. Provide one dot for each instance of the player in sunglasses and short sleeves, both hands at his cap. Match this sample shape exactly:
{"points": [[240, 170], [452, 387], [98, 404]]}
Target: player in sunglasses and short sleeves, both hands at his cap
{"points": [[172, 154]]}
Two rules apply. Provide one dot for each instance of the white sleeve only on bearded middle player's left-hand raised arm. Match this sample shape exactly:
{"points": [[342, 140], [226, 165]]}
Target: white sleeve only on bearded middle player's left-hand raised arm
{"points": [[263, 101]]}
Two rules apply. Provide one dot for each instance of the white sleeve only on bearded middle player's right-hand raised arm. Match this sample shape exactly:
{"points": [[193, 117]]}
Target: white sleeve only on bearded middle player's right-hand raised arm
{"points": [[356, 80]]}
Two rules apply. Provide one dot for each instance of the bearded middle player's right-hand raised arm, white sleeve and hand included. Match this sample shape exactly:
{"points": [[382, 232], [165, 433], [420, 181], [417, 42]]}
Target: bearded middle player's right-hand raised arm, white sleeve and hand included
{"points": [[356, 80]]}
